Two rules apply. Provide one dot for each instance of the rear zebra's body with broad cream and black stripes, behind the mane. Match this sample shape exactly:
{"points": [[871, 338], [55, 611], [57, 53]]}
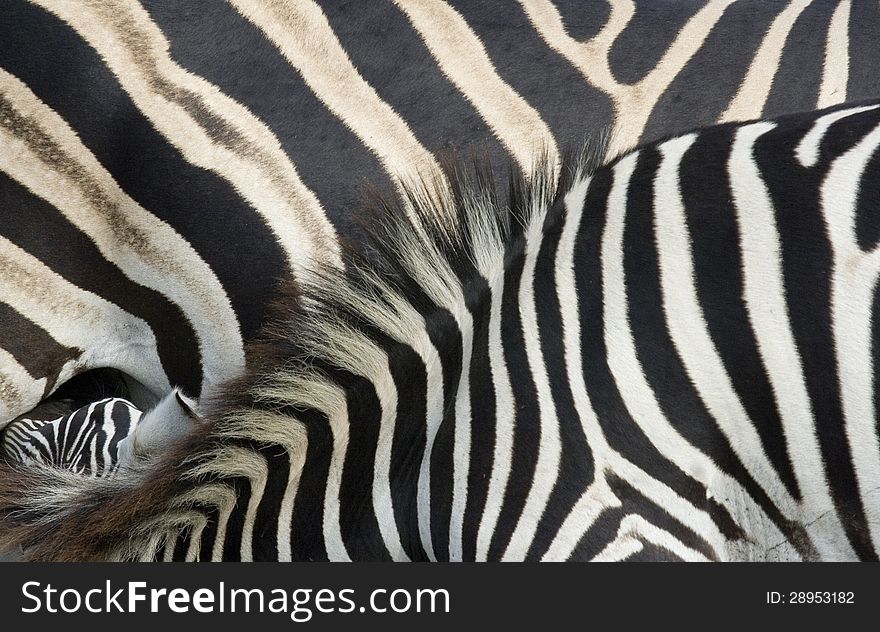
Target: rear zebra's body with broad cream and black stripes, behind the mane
{"points": [[164, 164]]}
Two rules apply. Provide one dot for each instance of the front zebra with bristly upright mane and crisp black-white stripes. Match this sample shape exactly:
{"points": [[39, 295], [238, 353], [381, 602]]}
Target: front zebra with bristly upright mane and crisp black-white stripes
{"points": [[668, 354]]}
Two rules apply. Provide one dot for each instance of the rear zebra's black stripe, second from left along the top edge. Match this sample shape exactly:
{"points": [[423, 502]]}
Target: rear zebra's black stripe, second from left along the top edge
{"points": [[214, 41]]}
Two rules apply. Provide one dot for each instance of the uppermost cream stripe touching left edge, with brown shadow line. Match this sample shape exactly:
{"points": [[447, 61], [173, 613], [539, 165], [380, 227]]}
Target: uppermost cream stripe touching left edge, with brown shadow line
{"points": [[146, 250]]}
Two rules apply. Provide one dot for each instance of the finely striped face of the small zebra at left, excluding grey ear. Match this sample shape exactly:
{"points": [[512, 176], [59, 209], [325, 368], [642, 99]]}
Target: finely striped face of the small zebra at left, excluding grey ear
{"points": [[84, 441]]}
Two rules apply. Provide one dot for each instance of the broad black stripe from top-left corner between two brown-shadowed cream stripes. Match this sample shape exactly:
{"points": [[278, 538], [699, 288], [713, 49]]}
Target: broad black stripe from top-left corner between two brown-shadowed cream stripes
{"points": [[69, 76]]}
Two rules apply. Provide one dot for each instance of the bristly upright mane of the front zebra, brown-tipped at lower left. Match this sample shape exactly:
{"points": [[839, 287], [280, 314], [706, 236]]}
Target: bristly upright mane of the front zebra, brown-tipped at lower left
{"points": [[437, 239]]}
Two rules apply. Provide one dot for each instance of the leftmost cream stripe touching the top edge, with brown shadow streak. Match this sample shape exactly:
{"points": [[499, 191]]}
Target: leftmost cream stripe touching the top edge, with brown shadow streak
{"points": [[260, 171]]}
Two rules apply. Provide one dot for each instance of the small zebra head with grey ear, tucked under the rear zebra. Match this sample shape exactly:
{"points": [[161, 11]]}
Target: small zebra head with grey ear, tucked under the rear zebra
{"points": [[100, 437]]}
